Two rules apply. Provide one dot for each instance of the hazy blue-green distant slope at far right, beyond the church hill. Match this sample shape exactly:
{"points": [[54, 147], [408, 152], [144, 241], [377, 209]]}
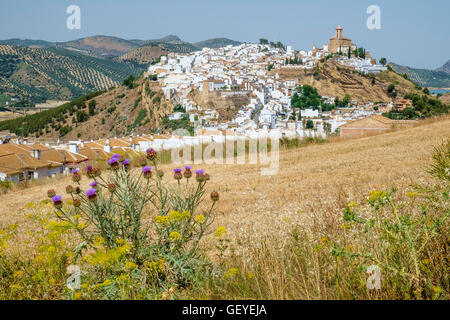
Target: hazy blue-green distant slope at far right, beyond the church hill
{"points": [[424, 77]]}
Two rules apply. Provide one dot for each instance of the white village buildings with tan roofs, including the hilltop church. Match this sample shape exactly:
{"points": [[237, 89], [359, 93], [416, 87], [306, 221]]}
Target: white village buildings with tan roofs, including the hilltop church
{"points": [[247, 69]]}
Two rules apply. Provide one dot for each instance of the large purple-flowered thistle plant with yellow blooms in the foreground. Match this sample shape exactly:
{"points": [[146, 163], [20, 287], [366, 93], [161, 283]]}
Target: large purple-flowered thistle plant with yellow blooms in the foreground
{"points": [[137, 217]]}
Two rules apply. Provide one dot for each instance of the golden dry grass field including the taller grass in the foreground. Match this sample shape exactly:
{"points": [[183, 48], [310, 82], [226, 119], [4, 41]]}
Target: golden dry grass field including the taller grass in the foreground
{"points": [[312, 187]]}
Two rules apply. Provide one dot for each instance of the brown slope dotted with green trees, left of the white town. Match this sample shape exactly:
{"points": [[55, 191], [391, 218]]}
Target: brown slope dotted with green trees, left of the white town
{"points": [[116, 112]]}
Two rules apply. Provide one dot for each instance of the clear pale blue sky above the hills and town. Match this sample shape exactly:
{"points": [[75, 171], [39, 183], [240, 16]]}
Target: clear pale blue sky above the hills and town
{"points": [[413, 32]]}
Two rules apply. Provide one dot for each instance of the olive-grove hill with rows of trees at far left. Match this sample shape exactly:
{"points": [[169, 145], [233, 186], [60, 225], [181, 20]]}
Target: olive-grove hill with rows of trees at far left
{"points": [[57, 74]]}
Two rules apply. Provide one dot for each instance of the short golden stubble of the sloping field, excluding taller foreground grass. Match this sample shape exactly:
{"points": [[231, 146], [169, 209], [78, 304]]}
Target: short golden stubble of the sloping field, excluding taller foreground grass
{"points": [[317, 178]]}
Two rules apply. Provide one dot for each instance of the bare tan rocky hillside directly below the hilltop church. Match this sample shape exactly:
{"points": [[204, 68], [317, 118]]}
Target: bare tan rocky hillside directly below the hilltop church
{"points": [[333, 79]]}
